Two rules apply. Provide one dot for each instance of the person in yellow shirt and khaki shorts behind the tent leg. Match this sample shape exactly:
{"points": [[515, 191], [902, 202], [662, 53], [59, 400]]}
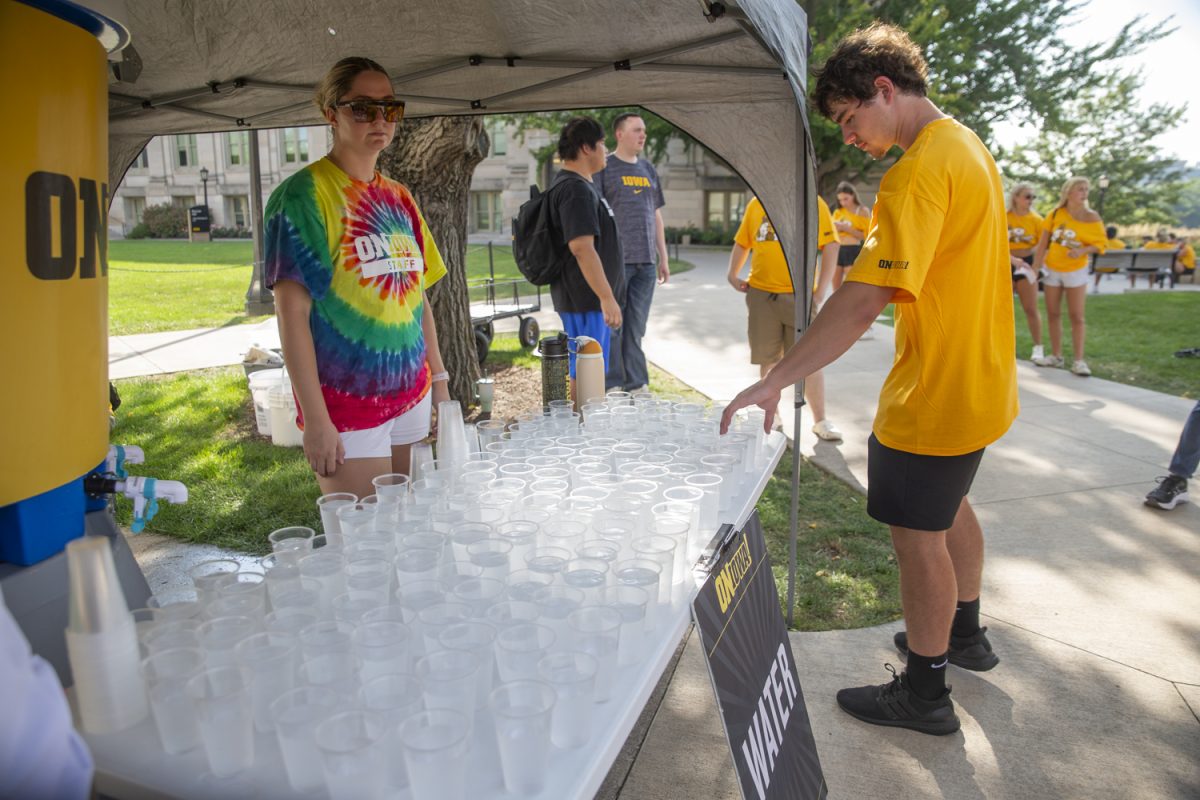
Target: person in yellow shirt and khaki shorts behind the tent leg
{"points": [[771, 302]]}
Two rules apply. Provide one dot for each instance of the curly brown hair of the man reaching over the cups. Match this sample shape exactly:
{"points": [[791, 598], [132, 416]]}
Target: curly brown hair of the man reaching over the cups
{"points": [[862, 57]]}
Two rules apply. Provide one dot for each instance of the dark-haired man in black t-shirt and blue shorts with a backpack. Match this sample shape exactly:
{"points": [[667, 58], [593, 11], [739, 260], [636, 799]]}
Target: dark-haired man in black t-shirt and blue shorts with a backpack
{"points": [[592, 286]]}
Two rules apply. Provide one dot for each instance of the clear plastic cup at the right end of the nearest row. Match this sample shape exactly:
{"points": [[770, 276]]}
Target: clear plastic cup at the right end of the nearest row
{"points": [[524, 712]]}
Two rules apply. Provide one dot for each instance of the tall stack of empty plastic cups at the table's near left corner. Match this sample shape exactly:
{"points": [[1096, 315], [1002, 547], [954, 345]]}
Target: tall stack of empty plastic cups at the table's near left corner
{"points": [[103, 641]]}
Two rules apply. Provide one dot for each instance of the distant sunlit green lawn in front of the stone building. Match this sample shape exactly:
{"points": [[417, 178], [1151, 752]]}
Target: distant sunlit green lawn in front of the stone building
{"points": [[173, 286]]}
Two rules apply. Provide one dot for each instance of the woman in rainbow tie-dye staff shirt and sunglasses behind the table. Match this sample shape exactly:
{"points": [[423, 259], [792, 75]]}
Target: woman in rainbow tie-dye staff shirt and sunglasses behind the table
{"points": [[351, 258]]}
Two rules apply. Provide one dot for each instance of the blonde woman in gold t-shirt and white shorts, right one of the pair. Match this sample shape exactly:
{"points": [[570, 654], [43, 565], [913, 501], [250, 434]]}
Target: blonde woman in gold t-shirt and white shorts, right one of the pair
{"points": [[1071, 234]]}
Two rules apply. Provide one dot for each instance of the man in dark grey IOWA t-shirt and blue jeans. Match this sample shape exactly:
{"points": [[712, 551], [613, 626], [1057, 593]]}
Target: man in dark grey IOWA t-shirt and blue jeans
{"points": [[632, 187]]}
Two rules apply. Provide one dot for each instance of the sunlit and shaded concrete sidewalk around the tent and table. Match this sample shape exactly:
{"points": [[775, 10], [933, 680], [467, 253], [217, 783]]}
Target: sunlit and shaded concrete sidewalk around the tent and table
{"points": [[1089, 596]]}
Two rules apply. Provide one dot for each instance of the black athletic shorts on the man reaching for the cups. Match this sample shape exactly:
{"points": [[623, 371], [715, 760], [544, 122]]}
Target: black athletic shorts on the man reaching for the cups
{"points": [[919, 492]]}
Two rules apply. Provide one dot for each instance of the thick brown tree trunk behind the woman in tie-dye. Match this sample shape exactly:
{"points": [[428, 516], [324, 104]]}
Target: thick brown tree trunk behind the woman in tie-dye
{"points": [[435, 158]]}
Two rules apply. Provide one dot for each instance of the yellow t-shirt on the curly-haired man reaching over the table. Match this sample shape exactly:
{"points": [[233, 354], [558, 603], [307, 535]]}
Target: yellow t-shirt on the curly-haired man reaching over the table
{"points": [[939, 237]]}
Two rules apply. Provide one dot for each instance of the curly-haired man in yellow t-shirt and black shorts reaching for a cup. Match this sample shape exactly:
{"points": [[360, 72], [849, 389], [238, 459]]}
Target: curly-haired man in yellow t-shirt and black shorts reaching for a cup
{"points": [[938, 248]]}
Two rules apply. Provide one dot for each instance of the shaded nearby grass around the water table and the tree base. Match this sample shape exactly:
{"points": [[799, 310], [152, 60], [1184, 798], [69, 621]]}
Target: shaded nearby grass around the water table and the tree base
{"points": [[199, 428]]}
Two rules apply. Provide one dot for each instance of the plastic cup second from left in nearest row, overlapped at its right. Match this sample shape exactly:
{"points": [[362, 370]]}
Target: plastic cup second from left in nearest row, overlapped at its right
{"points": [[297, 715]]}
